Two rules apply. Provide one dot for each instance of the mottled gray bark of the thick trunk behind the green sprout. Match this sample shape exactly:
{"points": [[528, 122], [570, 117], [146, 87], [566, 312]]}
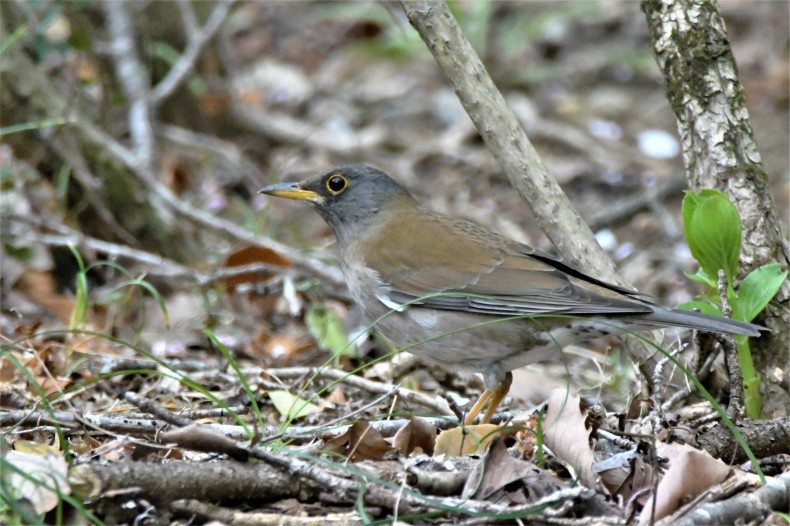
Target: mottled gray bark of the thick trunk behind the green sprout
{"points": [[719, 151]]}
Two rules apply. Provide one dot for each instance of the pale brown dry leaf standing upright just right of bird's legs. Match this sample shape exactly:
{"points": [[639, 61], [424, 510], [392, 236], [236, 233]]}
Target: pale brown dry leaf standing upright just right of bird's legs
{"points": [[567, 435]]}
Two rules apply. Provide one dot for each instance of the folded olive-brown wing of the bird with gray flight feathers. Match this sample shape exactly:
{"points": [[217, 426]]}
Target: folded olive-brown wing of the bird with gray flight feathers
{"points": [[457, 265]]}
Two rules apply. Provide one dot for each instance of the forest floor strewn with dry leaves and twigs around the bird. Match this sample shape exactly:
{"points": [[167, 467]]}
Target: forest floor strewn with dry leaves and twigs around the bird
{"points": [[154, 391]]}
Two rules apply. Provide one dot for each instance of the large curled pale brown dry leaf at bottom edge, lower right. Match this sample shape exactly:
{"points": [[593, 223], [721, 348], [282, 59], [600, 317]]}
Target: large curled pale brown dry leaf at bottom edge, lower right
{"points": [[691, 471]]}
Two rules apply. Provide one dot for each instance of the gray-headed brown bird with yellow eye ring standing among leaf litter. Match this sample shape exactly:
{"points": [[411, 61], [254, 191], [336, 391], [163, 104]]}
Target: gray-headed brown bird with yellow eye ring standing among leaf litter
{"points": [[463, 297]]}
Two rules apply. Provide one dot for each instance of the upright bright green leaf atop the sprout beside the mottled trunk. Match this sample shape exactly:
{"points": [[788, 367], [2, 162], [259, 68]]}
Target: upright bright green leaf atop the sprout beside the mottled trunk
{"points": [[713, 230]]}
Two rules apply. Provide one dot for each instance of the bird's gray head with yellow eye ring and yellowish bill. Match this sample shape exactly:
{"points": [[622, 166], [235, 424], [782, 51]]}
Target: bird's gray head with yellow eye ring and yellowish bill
{"points": [[348, 197]]}
